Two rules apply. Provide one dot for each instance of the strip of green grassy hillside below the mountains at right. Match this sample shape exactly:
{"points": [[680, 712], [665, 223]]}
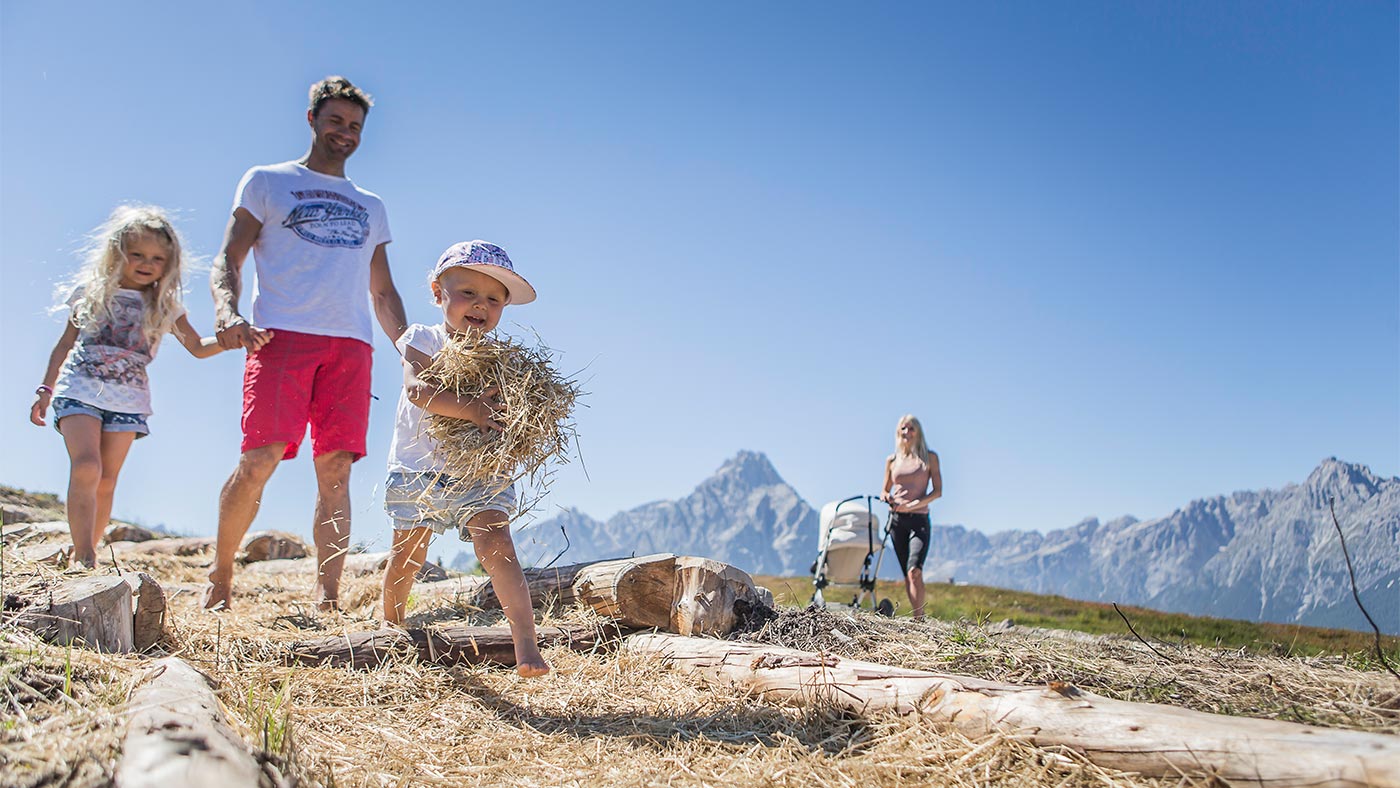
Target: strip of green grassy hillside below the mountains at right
{"points": [[992, 605]]}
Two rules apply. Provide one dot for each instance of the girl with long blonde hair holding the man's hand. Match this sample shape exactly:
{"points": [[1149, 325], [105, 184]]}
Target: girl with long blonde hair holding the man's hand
{"points": [[125, 299]]}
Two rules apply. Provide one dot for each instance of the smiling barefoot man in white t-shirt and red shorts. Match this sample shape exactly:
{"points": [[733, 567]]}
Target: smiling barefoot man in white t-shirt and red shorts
{"points": [[320, 247]]}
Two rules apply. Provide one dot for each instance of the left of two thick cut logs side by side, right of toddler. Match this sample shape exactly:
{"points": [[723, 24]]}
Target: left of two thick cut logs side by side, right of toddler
{"points": [[635, 593]]}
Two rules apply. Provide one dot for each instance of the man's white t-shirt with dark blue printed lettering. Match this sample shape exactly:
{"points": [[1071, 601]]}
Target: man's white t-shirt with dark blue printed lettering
{"points": [[313, 255]]}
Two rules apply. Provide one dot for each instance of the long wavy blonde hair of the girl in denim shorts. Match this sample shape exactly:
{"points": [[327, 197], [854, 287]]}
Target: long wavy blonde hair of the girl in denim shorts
{"points": [[101, 274]]}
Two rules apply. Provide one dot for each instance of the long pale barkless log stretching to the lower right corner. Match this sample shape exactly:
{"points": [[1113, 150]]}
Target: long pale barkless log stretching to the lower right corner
{"points": [[1156, 741]]}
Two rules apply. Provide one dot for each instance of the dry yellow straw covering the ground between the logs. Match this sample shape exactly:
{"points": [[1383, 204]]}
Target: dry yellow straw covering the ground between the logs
{"points": [[607, 719]]}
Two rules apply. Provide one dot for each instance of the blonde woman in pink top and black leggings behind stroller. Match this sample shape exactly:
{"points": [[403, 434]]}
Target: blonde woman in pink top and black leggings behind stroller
{"points": [[912, 482]]}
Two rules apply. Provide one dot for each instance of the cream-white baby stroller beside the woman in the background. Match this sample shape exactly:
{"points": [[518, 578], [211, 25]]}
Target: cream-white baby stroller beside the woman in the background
{"points": [[849, 552]]}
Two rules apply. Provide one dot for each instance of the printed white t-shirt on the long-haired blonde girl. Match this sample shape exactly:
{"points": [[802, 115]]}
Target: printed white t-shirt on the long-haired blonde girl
{"points": [[107, 366]]}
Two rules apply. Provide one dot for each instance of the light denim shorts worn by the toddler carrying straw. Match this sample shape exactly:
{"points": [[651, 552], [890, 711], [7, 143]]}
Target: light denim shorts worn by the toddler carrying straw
{"points": [[437, 502]]}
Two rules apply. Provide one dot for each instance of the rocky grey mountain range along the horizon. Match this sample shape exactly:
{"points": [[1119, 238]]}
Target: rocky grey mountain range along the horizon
{"points": [[1262, 556]]}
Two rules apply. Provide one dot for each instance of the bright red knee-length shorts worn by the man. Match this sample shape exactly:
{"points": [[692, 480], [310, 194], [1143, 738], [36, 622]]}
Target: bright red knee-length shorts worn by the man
{"points": [[299, 380]]}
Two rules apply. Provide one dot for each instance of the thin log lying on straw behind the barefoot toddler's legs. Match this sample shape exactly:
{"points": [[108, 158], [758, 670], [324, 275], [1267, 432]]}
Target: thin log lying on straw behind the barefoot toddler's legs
{"points": [[449, 646]]}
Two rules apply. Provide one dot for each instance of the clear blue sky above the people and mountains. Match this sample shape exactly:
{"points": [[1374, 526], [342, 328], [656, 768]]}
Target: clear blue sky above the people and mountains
{"points": [[1116, 257]]}
